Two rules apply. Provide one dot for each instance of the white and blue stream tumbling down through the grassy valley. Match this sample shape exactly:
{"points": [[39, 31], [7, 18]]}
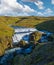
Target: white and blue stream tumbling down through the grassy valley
{"points": [[21, 33]]}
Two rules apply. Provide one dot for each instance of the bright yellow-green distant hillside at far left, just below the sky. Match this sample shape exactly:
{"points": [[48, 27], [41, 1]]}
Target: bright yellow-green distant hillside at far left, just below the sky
{"points": [[8, 20]]}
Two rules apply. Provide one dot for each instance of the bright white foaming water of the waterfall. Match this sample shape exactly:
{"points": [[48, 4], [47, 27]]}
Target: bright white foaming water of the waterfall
{"points": [[20, 32]]}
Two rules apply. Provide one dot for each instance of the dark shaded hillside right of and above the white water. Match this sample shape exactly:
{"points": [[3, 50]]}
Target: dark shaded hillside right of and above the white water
{"points": [[46, 25]]}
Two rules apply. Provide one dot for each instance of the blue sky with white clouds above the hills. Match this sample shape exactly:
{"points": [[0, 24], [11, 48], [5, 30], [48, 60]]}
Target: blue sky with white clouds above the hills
{"points": [[26, 7]]}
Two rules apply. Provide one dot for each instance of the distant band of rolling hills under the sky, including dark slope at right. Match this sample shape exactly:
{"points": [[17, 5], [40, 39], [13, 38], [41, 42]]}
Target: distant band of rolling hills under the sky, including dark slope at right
{"points": [[46, 23]]}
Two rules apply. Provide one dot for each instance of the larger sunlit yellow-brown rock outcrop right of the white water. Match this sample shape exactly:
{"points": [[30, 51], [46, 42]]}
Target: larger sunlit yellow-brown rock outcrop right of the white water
{"points": [[34, 37]]}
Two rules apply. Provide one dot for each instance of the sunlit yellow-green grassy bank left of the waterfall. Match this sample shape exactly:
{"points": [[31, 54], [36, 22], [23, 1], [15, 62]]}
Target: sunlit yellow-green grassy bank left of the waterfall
{"points": [[6, 33]]}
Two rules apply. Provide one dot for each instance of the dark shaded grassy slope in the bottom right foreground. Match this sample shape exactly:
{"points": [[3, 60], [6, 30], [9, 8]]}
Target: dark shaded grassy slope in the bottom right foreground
{"points": [[43, 54]]}
